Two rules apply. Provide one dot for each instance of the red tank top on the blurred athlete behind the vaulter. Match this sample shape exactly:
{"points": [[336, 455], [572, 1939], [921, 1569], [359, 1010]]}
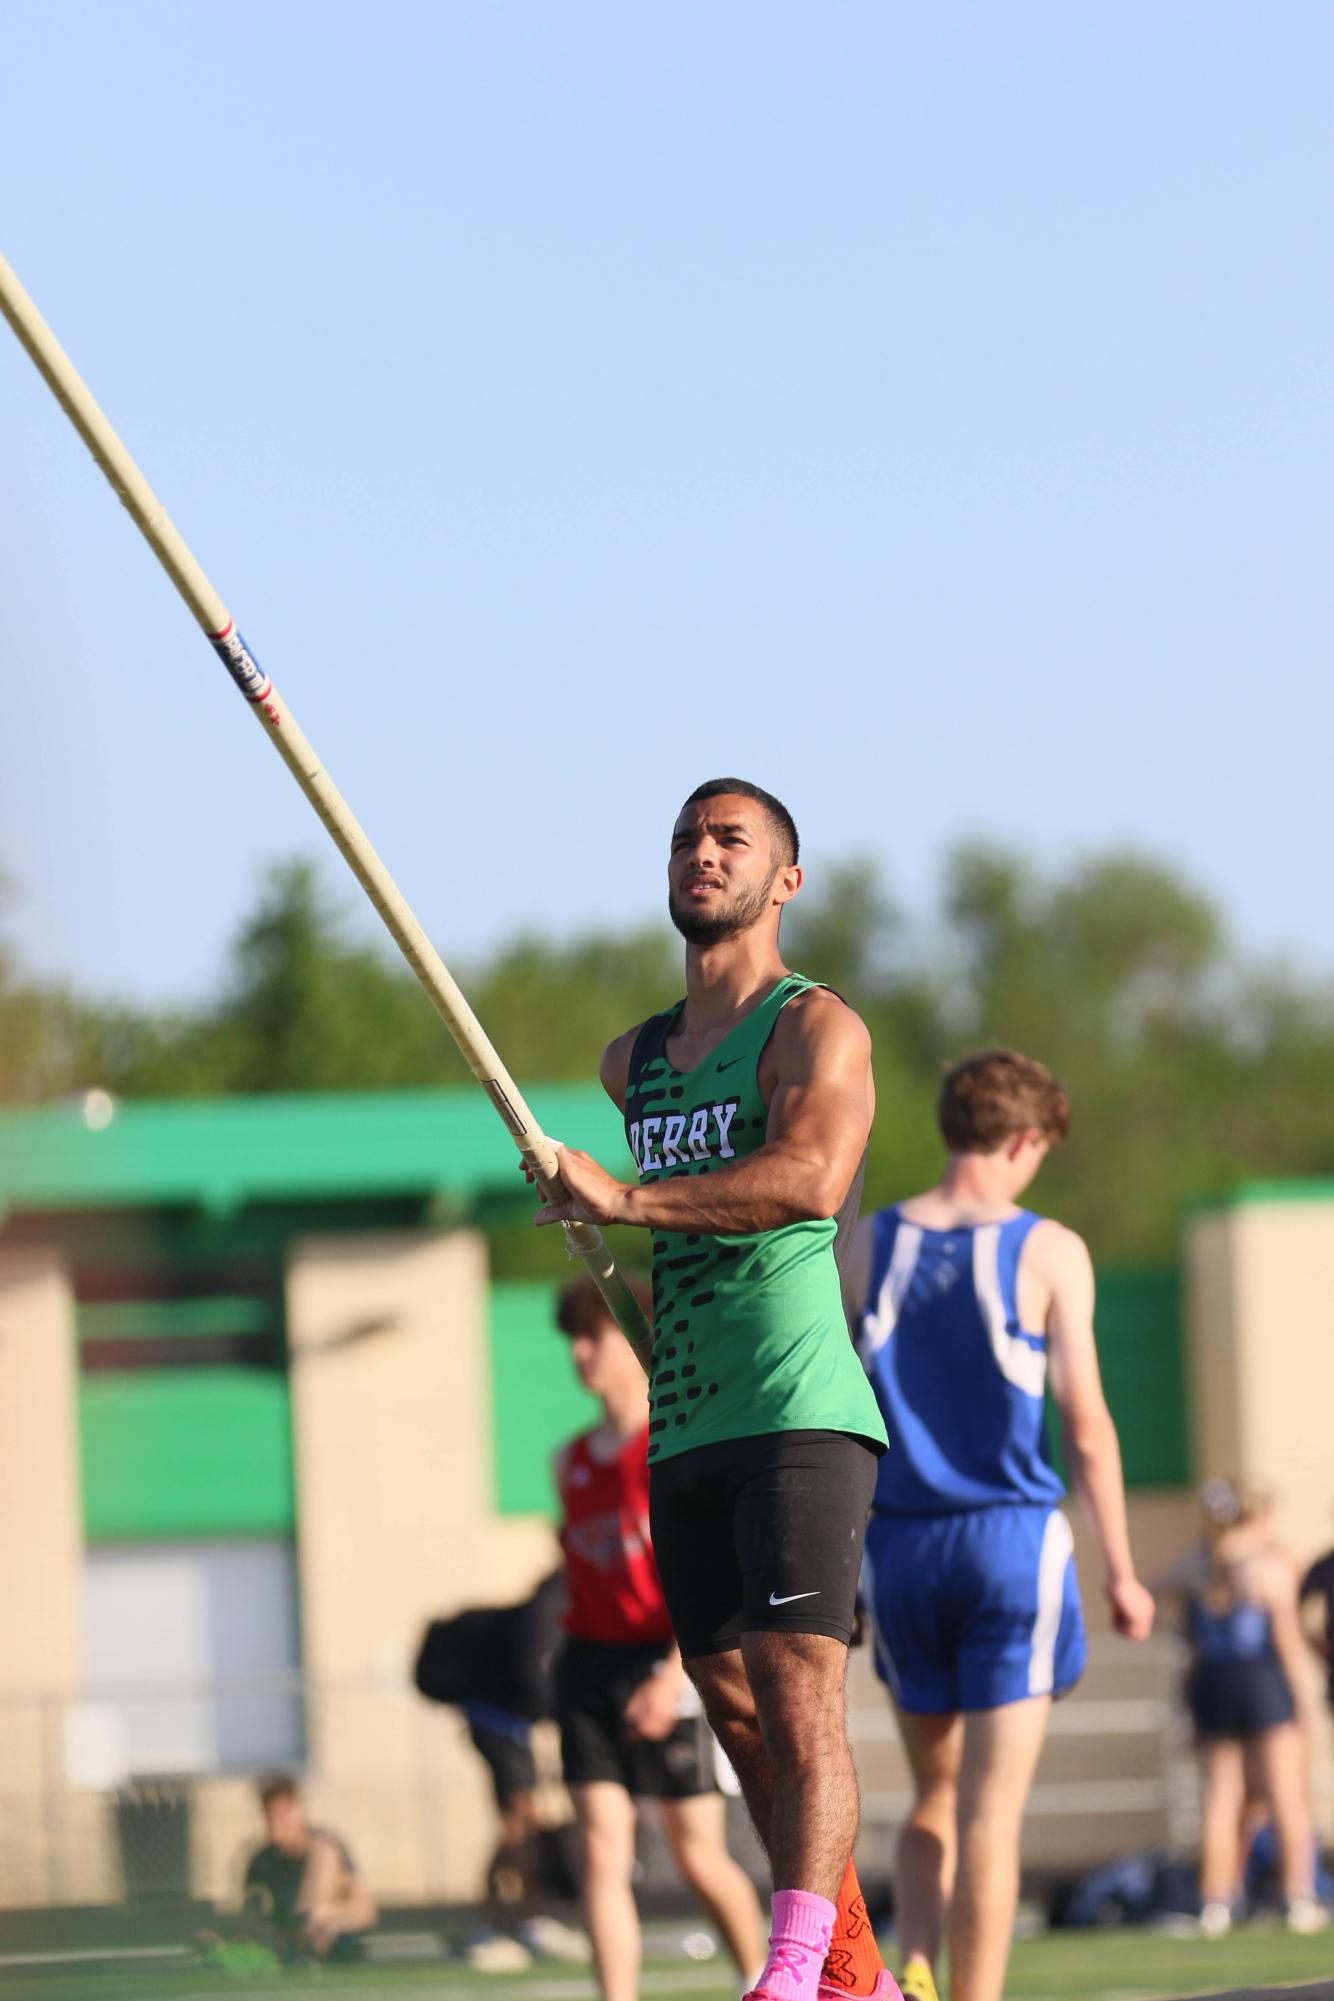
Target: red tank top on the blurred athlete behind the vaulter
{"points": [[611, 1574]]}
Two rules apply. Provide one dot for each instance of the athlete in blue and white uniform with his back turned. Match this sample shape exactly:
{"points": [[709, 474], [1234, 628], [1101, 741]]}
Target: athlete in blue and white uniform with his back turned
{"points": [[967, 1308]]}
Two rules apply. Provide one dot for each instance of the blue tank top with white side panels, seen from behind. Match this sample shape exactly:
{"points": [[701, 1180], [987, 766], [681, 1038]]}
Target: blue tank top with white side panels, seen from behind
{"points": [[959, 1382]]}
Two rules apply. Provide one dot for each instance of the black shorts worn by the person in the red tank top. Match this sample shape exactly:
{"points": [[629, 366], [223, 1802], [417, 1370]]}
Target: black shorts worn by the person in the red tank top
{"points": [[595, 1680]]}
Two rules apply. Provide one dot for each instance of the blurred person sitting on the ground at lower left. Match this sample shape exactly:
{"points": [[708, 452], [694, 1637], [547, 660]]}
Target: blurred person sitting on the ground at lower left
{"points": [[303, 1886]]}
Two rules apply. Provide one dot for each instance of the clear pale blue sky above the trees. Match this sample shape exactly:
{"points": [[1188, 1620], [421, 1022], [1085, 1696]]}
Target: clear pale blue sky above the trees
{"points": [[923, 411]]}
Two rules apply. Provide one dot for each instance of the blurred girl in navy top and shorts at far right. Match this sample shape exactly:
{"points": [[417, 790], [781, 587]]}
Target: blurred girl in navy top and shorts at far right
{"points": [[1247, 1694]]}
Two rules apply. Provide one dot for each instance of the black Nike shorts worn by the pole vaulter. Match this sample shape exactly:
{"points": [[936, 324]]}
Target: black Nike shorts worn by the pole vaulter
{"points": [[763, 1536]]}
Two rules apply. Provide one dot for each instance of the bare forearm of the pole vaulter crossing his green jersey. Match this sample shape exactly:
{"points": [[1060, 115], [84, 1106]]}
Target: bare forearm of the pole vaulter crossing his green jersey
{"points": [[769, 1190]]}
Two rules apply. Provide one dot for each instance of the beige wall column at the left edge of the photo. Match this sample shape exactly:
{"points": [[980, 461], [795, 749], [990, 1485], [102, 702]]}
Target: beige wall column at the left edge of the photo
{"points": [[41, 1558]]}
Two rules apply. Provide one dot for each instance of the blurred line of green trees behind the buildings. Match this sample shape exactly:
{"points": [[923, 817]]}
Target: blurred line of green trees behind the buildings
{"points": [[1189, 1066]]}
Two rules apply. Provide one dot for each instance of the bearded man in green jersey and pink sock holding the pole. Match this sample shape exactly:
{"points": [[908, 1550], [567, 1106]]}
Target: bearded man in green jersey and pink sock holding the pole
{"points": [[747, 1112]]}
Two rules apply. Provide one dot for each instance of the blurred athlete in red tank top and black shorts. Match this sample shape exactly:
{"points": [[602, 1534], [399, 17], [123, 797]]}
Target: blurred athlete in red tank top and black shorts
{"points": [[631, 1724]]}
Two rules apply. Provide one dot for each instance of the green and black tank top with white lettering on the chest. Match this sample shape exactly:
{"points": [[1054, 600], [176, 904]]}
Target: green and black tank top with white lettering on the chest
{"points": [[749, 1332]]}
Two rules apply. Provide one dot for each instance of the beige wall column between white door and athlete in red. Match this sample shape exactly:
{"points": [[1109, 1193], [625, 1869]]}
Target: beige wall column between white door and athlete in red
{"points": [[393, 1430]]}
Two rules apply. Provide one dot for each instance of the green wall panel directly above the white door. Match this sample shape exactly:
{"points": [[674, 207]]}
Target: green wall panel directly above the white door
{"points": [[173, 1454]]}
